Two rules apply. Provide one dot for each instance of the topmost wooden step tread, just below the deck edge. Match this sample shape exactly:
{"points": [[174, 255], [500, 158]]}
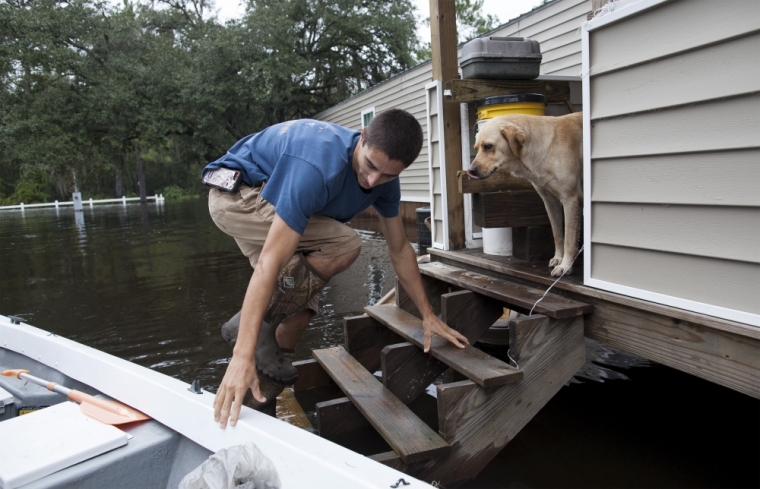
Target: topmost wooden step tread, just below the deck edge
{"points": [[552, 305]]}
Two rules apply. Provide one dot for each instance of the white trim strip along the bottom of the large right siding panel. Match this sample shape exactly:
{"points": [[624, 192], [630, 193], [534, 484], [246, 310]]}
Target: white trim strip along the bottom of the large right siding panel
{"points": [[686, 304]]}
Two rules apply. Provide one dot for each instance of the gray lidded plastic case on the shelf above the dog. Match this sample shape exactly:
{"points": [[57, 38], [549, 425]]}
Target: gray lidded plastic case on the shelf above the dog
{"points": [[501, 58]]}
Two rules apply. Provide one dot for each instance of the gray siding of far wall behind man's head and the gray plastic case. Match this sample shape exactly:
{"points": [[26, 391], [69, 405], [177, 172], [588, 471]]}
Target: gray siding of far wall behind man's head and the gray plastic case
{"points": [[555, 26]]}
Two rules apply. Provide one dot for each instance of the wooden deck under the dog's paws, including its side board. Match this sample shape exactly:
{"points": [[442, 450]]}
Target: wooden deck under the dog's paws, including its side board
{"points": [[718, 350]]}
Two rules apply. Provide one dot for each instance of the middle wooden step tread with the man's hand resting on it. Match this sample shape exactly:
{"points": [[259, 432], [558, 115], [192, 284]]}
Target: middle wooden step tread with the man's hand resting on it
{"points": [[481, 368]]}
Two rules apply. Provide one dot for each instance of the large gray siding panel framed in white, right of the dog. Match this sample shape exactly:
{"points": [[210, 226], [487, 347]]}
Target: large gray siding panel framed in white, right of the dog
{"points": [[675, 152]]}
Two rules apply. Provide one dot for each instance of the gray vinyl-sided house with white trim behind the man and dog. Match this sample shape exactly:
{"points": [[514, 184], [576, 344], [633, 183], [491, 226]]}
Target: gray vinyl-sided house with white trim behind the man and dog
{"points": [[670, 91]]}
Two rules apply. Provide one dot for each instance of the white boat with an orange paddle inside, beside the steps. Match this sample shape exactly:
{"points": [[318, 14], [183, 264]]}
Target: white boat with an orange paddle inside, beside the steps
{"points": [[180, 436]]}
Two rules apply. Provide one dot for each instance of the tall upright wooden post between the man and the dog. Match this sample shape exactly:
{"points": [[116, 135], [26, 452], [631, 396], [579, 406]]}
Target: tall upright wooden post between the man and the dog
{"points": [[443, 30]]}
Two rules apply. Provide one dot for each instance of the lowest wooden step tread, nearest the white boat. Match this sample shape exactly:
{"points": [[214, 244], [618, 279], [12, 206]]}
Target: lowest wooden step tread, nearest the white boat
{"points": [[407, 434]]}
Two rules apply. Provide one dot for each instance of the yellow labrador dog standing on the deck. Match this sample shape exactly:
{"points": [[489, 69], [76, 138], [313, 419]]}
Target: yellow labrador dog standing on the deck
{"points": [[547, 151]]}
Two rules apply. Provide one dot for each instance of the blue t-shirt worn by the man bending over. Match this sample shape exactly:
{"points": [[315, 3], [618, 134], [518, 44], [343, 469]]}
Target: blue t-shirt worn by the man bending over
{"points": [[307, 167]]}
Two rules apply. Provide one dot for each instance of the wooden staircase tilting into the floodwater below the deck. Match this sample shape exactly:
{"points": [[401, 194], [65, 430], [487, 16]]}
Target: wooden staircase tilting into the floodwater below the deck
{"points": [[477, 416]]}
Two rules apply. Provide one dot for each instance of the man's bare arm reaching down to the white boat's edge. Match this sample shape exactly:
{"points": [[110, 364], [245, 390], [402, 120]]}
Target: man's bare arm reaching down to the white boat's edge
{"points": [[279, 247]]}
